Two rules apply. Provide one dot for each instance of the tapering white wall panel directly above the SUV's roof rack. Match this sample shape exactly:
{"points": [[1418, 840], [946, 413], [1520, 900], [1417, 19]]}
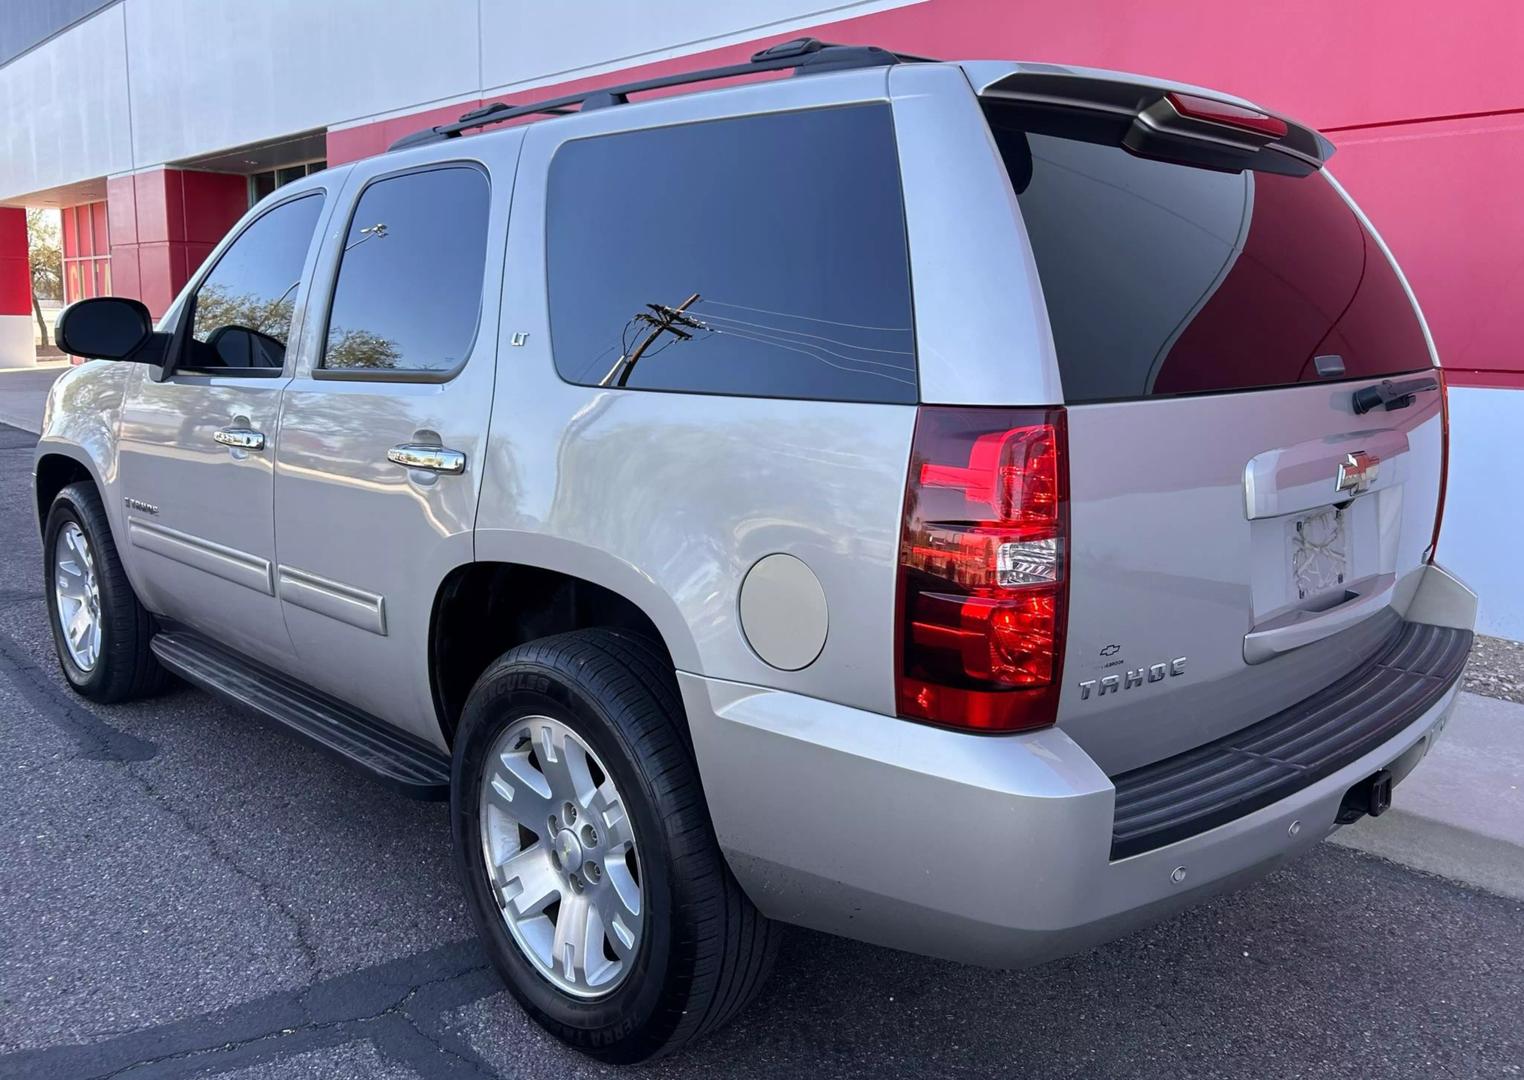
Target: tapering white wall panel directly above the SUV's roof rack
{"points": [[528, 42]]}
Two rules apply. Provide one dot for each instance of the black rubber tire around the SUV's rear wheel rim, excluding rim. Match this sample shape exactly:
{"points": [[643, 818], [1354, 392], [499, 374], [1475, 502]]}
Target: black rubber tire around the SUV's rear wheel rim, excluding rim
{"points": [[706, 950]]}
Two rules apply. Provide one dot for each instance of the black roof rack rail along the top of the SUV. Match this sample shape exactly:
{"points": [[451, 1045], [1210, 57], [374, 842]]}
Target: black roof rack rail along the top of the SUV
{"points": [[804, 56]]}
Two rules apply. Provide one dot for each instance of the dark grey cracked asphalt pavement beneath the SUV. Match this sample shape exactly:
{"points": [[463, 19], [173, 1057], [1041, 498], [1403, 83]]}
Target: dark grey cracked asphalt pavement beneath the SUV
{"points": [[190, 893]]}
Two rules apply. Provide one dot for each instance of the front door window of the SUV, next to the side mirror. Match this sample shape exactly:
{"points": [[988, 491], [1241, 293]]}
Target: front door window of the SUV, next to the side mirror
{"points": [[242, 313]]}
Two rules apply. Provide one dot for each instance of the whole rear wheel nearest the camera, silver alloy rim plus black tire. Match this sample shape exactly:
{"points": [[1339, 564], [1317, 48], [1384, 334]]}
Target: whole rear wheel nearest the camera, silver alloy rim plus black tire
{"points": [[588, 857]]}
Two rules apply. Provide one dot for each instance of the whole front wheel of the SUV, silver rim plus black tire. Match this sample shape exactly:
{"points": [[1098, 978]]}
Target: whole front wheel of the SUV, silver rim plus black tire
{"points": [[100, 630]]}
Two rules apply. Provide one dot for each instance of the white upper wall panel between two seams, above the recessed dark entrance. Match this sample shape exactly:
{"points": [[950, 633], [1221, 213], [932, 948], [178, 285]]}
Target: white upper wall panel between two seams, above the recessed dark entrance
{"points": [[217, 74]]}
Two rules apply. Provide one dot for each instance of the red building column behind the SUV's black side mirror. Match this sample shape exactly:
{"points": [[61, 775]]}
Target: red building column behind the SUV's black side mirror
{"points": [[164, 223]]}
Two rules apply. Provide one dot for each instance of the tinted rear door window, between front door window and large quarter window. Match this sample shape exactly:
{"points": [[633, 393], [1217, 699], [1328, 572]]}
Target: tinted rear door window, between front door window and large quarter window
{"points": [[409, 292]]}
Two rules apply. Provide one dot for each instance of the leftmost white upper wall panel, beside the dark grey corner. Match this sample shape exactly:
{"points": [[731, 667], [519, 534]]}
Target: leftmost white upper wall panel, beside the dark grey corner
{"points": [[63, 109]]}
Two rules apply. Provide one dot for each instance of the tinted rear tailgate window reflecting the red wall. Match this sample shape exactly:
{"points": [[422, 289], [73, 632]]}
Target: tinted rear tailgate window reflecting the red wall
{"points": [[1168, 280]]}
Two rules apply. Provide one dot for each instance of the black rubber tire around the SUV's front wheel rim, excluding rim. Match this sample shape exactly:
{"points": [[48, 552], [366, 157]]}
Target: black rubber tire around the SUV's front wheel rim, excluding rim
{"points": [[127, 668]]}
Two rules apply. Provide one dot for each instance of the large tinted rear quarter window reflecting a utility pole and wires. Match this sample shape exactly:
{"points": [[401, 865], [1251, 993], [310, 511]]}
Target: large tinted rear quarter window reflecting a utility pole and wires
{"points": [[757, 257]]}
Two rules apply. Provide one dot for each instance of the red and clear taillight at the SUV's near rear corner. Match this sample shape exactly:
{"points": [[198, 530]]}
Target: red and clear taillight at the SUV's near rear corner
{"points": [[984, 569]]}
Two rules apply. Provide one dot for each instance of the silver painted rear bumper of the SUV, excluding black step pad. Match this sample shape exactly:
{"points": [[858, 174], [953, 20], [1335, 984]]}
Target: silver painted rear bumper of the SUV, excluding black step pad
{"points": [[988, 851]]}
